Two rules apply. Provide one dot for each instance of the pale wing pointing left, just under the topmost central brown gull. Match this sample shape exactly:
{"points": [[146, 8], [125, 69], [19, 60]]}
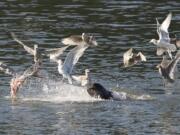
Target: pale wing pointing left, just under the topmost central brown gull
{"points": [[55, 53]]}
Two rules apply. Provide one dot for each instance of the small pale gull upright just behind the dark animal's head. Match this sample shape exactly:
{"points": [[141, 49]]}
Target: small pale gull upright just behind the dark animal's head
{"points": [[82, 79]]}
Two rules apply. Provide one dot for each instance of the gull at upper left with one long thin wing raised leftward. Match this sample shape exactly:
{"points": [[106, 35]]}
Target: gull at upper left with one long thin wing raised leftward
{"points": [[35, 52]]}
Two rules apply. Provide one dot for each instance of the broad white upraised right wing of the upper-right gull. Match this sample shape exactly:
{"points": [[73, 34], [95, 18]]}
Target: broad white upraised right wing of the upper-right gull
{"points": [[163, 30]]}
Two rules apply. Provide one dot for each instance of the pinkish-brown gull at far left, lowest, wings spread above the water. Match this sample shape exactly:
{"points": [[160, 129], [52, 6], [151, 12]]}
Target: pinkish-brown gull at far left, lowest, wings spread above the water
{"points": [[19, 78]]}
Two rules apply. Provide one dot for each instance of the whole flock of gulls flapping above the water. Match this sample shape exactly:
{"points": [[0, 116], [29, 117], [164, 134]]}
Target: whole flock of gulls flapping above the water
{"points": [[165, 47]]}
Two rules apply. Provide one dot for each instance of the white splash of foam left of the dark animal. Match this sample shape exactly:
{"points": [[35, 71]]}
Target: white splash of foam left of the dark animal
{"points": [[54, 91]]}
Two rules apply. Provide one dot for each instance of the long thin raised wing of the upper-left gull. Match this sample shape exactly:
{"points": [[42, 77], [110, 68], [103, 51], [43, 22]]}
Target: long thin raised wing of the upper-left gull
{"points": [[28, 49]]}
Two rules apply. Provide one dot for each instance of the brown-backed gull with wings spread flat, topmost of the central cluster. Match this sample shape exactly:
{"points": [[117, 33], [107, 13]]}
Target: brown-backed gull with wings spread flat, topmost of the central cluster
{"points": [[83, 39]]}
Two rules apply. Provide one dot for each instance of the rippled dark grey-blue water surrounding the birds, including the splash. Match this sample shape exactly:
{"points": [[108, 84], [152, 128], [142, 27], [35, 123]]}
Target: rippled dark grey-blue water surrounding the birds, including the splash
{"points": [[47, 107]]}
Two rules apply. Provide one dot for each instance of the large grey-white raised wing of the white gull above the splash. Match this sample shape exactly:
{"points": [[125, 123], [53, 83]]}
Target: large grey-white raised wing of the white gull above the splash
{"points": [[73, 57]]}
